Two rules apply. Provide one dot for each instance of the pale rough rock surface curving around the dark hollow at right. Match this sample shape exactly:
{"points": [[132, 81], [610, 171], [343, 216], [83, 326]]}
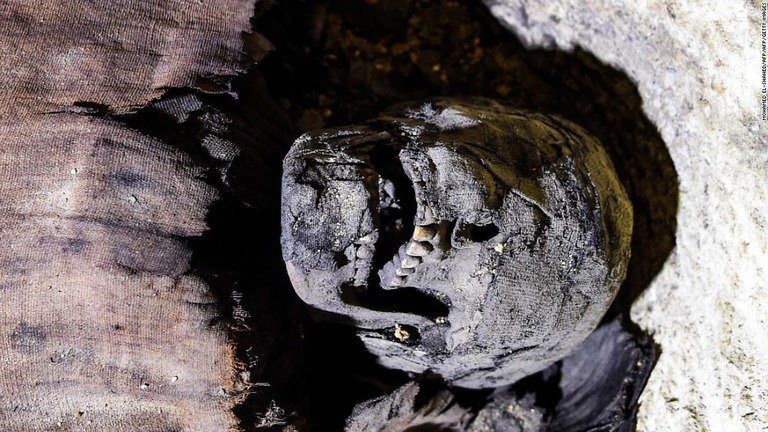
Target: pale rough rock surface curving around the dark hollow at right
{"points": [[696, 65]]}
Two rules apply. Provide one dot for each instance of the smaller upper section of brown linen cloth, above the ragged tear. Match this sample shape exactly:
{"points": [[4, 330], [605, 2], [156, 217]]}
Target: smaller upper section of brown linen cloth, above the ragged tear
{"points": [[117, 53]]}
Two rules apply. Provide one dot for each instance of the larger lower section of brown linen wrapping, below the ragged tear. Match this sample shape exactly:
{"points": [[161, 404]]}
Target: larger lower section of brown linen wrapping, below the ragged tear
{"points": [[101, 328]]}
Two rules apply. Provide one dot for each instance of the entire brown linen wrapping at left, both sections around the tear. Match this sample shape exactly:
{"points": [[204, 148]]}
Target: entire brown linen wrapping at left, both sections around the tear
{"points": [[103, 327]]}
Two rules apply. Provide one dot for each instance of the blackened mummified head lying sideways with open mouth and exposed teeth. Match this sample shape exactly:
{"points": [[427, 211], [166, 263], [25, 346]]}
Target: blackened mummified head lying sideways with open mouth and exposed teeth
{"points": [[476, 241]]}
